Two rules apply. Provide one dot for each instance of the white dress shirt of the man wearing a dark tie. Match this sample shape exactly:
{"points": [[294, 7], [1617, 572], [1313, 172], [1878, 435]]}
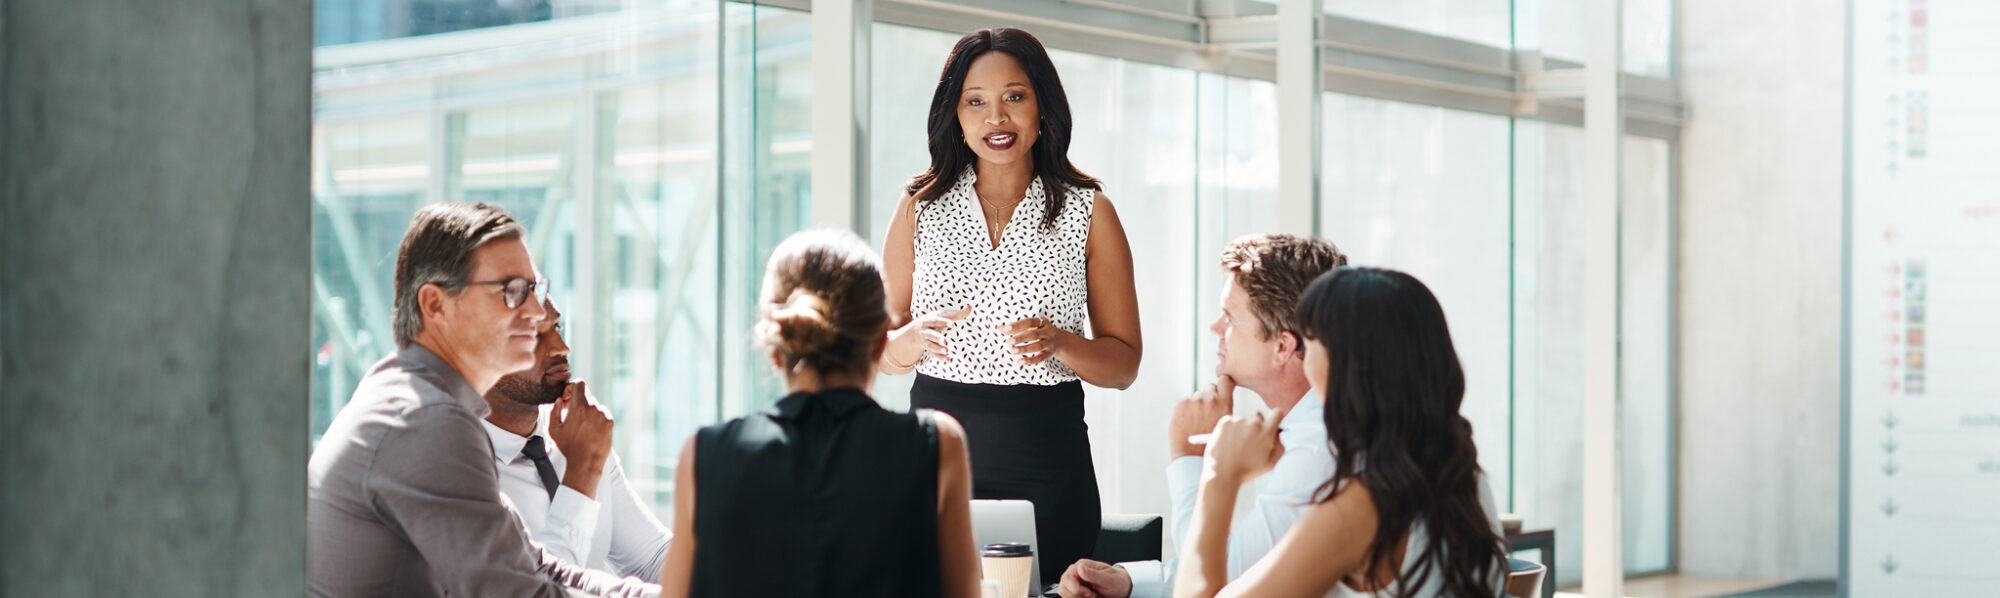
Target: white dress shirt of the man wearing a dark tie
{"points": [[619, 531]]}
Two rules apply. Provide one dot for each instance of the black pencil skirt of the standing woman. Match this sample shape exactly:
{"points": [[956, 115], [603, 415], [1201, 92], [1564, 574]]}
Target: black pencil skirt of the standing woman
{"points": [[1029, 443]]}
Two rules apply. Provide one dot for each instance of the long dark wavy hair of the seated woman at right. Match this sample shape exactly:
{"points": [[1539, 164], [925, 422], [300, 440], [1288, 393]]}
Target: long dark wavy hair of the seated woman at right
{"points": [[1393, 395]]}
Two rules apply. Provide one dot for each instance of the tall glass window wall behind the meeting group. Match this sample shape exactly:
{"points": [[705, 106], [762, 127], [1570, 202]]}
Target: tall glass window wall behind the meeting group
{"points": [[659, 149]]}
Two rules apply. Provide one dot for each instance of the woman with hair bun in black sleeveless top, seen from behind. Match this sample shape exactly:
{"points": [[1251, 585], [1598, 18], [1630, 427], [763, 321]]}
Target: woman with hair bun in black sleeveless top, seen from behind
{"points": [[825, 493]]}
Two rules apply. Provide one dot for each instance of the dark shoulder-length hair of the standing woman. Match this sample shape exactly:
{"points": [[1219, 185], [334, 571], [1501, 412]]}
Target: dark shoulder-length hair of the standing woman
{"points": [[949, 155]]}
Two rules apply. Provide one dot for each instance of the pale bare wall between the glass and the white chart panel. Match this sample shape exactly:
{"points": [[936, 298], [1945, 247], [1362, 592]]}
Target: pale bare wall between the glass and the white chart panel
{"points": [[1761, 287]]}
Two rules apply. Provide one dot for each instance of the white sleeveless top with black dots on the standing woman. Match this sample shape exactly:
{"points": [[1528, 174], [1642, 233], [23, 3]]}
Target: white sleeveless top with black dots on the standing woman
{"points": [[1033, 273]]}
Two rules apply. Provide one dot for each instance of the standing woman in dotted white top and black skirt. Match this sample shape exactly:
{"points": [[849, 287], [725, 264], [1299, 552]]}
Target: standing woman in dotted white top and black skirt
{"points": [[995, 259]]}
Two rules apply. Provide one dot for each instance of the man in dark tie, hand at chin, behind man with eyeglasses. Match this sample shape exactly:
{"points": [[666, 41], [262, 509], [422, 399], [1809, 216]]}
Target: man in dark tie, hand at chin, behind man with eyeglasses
{"points": [[541, 425]]}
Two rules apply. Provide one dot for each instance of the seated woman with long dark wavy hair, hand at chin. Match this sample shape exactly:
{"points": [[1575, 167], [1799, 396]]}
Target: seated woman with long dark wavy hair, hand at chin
{"points": [[1409, 511]]}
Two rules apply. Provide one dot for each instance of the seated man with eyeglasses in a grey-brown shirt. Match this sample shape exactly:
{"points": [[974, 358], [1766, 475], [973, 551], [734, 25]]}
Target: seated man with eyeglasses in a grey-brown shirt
{"points": [[401, 495]]}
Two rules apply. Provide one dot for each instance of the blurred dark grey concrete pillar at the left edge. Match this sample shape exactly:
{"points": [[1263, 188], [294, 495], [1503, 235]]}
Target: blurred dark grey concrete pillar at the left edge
{"points": [[155, 275]]}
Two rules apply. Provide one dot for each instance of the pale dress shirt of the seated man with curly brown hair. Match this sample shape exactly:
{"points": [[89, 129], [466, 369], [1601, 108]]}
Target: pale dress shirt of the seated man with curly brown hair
{"points": [[1283, 497]]}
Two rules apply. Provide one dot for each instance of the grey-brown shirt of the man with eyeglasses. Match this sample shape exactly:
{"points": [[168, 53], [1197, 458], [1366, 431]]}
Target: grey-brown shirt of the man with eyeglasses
{"points": [[403, 503]]}
